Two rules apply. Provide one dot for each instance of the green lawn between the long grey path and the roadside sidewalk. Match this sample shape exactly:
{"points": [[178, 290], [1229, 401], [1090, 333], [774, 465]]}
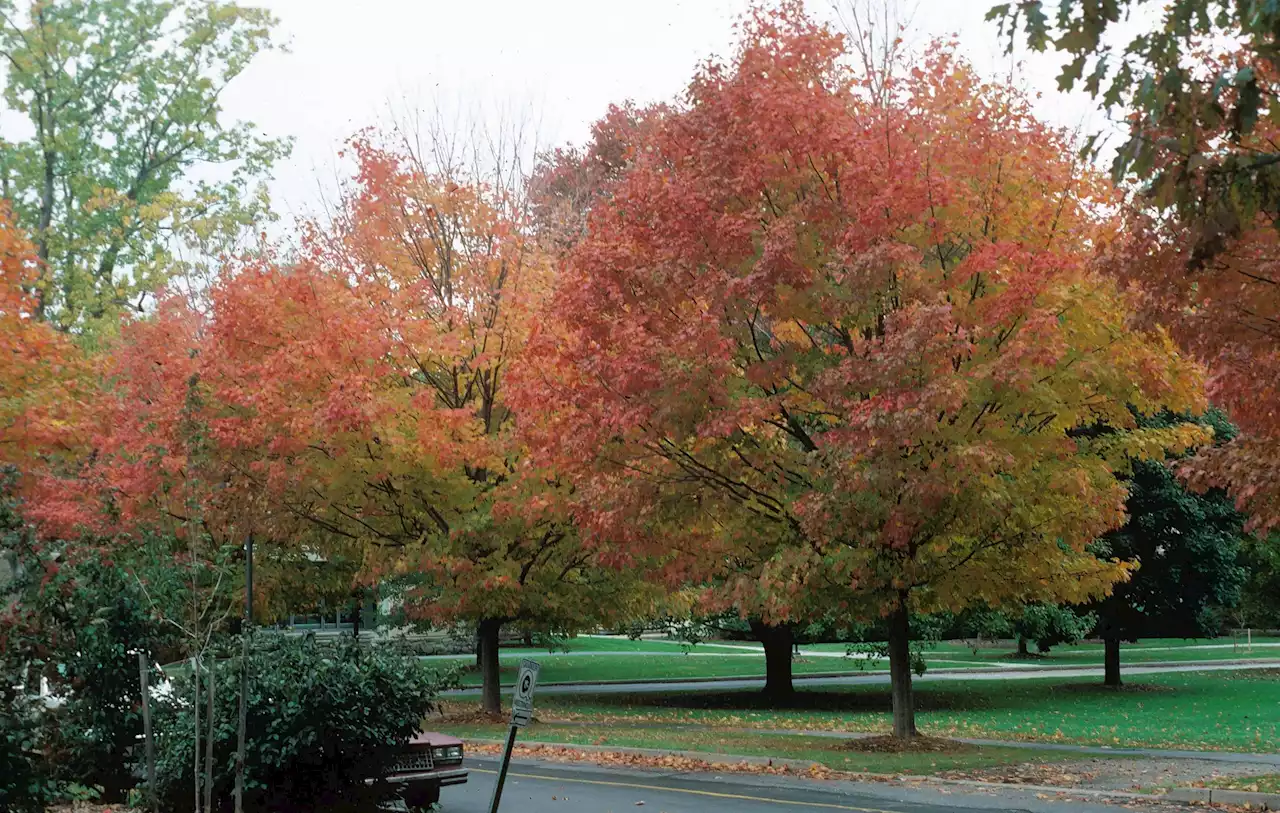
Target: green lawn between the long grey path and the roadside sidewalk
{"points": [[1227, 711]]}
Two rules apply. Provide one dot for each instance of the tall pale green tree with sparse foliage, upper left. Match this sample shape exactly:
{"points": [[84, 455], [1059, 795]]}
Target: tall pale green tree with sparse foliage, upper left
{"points": [[130, 173]]}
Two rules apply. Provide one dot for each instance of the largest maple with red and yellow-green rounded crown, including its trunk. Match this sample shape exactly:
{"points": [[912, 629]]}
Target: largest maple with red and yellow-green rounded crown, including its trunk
{"points": [[872, 327]]}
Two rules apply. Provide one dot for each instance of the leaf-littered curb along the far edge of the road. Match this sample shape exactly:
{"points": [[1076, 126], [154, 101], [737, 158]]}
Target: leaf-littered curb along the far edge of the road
{"points": [[803, 766]]}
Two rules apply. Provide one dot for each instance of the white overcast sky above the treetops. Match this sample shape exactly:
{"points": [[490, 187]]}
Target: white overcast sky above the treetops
{"points": [[559, 63]]}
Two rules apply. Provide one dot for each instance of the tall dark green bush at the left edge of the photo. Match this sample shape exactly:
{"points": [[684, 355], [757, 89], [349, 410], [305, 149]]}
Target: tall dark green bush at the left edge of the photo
{"points": [[77, 619]]}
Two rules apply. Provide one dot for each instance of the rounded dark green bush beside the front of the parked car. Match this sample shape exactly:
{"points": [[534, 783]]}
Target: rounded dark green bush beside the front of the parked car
{"points": [[322, 718]]}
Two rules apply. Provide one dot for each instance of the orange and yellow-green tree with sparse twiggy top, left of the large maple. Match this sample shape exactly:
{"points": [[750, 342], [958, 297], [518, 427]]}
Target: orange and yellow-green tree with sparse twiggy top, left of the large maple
{"points": [[446, 268]]}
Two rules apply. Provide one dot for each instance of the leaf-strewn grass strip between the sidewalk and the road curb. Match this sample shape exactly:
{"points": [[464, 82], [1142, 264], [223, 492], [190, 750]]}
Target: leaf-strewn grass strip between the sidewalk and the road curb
{"points": [[822, 751]]}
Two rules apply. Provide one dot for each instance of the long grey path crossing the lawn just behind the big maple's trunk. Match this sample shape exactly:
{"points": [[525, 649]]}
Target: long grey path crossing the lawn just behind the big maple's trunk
{"points": [[875, 678]]}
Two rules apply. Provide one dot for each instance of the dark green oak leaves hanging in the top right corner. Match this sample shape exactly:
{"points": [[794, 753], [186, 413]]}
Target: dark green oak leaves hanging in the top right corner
{"points": [[1174, 93]]}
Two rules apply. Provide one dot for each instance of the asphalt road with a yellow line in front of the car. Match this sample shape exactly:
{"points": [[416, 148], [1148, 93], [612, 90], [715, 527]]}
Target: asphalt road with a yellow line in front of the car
{"points": [[543, 788]]}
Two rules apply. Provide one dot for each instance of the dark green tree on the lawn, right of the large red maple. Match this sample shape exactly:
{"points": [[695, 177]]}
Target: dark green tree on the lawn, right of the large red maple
{"points": [[1188, 549]]}
